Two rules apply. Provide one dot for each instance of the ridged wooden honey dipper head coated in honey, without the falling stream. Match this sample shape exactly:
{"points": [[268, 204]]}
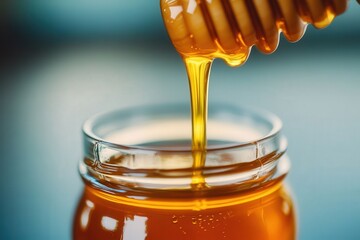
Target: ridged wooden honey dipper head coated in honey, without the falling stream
{"points": [[229, 28]]}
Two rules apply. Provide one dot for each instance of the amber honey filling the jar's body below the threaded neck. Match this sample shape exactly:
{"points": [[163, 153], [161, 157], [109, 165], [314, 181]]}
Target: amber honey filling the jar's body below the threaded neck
{"points": [[265, 214]]}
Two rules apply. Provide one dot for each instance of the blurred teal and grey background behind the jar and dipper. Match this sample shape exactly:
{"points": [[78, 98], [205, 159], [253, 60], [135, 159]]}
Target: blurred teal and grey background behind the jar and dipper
{"points": [[63, 61]]}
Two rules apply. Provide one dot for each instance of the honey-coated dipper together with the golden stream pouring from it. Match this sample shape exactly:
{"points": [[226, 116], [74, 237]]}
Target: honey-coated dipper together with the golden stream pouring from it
{"points": [[202, 30]]}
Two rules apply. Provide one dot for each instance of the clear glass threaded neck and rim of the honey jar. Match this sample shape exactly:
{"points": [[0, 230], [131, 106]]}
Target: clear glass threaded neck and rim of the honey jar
{"points": [[164, 168]]}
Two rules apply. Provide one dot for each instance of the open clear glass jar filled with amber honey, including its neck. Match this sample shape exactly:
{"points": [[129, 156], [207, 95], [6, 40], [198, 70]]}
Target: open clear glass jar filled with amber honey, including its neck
{"points": [[138, 170]]}
